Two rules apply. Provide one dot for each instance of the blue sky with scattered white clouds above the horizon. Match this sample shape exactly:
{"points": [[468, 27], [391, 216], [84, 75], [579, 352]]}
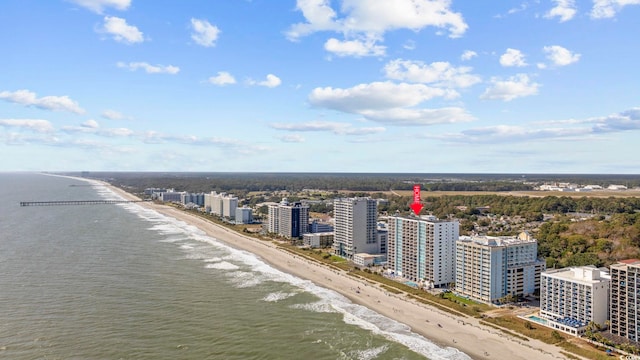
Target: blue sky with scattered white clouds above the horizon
{"points": [[386, 86]]}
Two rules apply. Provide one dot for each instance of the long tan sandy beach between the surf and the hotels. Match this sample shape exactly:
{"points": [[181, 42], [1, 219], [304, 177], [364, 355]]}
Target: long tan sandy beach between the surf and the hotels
{"points": [[463, 333]]}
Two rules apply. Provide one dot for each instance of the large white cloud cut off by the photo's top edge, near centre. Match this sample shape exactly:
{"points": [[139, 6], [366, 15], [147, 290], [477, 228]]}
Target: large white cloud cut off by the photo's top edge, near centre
{"points": [[358, 18]]}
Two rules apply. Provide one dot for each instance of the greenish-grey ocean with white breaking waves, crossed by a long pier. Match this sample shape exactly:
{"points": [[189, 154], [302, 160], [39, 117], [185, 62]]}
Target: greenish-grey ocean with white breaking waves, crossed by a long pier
{"points": [[124, 282]]}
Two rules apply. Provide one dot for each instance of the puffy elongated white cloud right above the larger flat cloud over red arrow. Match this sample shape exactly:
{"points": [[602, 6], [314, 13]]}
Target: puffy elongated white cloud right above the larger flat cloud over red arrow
{"points": [[437, 73]]}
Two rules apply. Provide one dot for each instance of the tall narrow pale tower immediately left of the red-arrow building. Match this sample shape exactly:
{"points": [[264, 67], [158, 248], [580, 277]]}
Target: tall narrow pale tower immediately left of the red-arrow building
{"points": [[355, 229]]}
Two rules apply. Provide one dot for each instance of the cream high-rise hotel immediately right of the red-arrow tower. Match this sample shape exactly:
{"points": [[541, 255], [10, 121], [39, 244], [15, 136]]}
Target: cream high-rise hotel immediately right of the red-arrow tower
{"points": [[489, 268]]}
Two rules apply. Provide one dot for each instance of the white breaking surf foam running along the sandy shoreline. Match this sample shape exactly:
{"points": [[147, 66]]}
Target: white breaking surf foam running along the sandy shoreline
{"points": [[257, 271]]}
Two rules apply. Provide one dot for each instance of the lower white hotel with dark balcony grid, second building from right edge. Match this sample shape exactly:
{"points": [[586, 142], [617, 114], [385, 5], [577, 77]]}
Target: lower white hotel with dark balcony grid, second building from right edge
{"points": [[570, 298]]}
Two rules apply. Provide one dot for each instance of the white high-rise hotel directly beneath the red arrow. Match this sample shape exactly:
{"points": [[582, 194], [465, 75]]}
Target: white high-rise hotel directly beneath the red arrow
{"points": [[422, 249]]}
